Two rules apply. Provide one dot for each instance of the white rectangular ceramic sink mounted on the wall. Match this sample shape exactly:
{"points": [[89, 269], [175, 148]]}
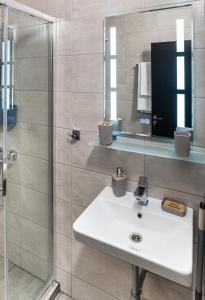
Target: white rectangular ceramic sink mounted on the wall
{"points": [[167, 240]]}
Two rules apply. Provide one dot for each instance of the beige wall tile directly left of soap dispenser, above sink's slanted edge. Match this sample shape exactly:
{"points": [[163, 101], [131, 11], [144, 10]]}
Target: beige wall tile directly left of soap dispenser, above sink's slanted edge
{"points": [[87, 185]]}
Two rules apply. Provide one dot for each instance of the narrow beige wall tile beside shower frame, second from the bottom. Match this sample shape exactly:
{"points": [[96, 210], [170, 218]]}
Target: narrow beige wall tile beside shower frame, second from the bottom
{"points": [[63, 252]]}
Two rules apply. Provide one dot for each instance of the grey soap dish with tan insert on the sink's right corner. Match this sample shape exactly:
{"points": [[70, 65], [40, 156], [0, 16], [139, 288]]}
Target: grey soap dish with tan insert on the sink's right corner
{"points": [[174, 206]]}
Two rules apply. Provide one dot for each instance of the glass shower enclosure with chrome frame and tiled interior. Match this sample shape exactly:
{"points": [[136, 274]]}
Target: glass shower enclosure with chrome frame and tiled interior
{"points": [[26, 246]]}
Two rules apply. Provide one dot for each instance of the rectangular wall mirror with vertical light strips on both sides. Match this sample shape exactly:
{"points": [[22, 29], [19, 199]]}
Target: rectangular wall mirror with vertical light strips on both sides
{"points": [[148, 71]]}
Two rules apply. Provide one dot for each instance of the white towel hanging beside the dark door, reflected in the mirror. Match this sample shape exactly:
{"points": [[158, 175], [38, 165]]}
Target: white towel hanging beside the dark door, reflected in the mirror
{"points": [[144, 101]]}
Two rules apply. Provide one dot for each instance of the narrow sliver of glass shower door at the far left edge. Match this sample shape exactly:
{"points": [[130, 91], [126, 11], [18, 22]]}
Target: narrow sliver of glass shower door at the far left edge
{"points": [[3, 166]]}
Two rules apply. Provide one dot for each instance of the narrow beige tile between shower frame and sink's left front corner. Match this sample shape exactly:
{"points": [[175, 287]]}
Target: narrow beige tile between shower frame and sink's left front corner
{"points": [[63, 219]]}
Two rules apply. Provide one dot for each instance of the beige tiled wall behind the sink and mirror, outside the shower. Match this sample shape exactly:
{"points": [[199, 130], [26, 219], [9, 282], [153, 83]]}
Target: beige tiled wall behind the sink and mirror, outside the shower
{"points": [[82, 171]]}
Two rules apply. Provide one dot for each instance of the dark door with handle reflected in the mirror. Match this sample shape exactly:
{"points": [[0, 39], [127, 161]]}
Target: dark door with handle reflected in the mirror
{"points": [[167, 112]]}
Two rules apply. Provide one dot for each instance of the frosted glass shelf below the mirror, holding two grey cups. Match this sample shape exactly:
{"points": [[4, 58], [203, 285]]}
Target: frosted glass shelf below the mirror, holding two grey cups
{"points": [[159, 149]]}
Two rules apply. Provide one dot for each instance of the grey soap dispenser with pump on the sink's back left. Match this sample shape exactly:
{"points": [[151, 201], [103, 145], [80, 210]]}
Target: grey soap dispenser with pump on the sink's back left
{"points": [[119, 182]]}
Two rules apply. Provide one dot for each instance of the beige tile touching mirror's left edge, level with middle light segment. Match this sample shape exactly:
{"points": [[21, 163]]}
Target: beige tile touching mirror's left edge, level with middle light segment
{"points": [[87, 73]]}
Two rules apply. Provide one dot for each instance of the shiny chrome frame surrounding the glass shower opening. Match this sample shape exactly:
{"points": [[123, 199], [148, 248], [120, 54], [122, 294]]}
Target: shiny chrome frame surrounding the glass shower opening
{"points": [[51, 288]]}
